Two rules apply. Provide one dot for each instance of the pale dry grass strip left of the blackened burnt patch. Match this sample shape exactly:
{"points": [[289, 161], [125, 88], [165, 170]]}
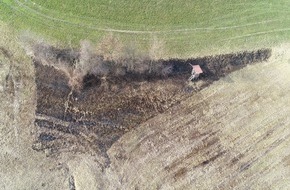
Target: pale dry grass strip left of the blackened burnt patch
{"points": [[20, 167]]}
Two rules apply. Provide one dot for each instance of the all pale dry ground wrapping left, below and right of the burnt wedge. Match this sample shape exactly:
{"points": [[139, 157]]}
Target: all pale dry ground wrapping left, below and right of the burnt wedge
{"points": [[233, 134]]}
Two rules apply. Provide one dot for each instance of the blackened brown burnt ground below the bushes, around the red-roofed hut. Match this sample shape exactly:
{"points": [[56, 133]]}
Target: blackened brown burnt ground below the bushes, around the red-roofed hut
{"points": [[92, 119]]}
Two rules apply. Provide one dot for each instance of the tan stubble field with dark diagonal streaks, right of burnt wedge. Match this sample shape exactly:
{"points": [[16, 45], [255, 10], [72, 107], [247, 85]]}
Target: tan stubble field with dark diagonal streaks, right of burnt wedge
{"points": [[234, 134]]}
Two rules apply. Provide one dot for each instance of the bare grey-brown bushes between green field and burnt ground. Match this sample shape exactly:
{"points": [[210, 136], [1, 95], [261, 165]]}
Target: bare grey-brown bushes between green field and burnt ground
{"points": [[109, 58]]}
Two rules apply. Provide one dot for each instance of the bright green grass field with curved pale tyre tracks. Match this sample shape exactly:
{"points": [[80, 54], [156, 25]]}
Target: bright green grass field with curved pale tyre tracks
{"points": [[185, 27]]}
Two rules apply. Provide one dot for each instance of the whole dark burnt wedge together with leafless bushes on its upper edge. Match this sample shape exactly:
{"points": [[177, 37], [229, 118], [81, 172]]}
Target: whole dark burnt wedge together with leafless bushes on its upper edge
{"points": [[85, 104]]}
